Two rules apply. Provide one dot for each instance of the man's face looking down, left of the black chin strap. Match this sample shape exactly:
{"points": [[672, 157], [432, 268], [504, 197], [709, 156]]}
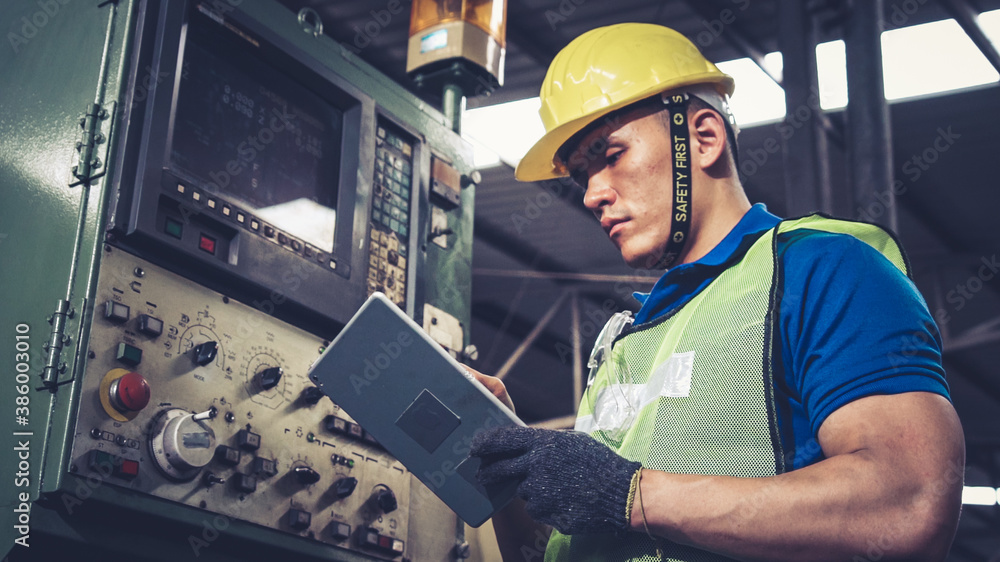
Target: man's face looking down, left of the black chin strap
{"points": [[626, 171]]}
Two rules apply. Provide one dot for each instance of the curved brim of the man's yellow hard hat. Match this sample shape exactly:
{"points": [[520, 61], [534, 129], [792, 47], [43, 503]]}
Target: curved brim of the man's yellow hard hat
{"points": [[542, 162]]}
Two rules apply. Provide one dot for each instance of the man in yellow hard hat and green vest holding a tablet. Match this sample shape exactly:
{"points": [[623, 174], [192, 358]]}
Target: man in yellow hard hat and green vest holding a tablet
{"points": [[780, 394]]}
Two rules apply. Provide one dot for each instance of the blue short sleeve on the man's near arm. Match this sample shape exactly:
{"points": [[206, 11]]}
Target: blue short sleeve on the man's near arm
{"points": [[852, 325]]}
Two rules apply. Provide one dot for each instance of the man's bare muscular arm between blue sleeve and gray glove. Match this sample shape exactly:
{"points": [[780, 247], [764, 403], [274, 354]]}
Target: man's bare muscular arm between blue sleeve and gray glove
{"points": [[891, 483]]}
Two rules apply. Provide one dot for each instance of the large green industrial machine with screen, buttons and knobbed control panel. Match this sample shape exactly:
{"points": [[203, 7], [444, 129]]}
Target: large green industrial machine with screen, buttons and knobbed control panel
{"points": [[197, 195]]}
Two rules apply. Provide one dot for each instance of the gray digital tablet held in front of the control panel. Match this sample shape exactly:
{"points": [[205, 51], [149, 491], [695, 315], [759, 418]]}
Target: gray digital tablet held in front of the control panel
{"points": [[417, 401]]}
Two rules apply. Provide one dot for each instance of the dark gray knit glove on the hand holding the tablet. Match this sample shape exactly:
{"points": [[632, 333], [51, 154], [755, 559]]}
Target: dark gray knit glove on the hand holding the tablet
{"points": [[568, 480]]}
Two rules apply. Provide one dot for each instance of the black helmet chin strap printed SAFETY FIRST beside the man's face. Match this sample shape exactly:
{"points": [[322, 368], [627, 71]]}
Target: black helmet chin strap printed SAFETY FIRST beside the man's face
{"points": [[680, 182]]}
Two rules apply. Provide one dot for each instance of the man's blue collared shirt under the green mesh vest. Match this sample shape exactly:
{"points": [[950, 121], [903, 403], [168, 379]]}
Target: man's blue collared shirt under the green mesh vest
{"points": [[851, 324]]}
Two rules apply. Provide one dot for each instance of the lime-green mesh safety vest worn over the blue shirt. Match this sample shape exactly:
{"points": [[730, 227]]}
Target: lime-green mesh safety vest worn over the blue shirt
{"points": [[692, 392]]}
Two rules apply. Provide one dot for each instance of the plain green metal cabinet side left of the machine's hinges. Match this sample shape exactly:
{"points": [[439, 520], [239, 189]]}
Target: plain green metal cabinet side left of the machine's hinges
{"points": [[52, 74]]}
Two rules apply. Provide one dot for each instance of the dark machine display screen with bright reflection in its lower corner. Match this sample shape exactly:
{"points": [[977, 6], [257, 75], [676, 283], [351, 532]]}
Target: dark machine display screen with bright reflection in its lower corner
{"points": [[252, 134]]}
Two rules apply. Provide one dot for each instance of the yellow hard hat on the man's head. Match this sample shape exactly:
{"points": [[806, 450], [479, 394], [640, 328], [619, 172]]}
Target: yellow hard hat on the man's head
{"points": [[606, 69]]}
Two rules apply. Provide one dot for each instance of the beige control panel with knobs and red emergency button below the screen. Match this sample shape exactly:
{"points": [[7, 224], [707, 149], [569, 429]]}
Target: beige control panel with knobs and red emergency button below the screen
{"points": [[209, 405]]}
